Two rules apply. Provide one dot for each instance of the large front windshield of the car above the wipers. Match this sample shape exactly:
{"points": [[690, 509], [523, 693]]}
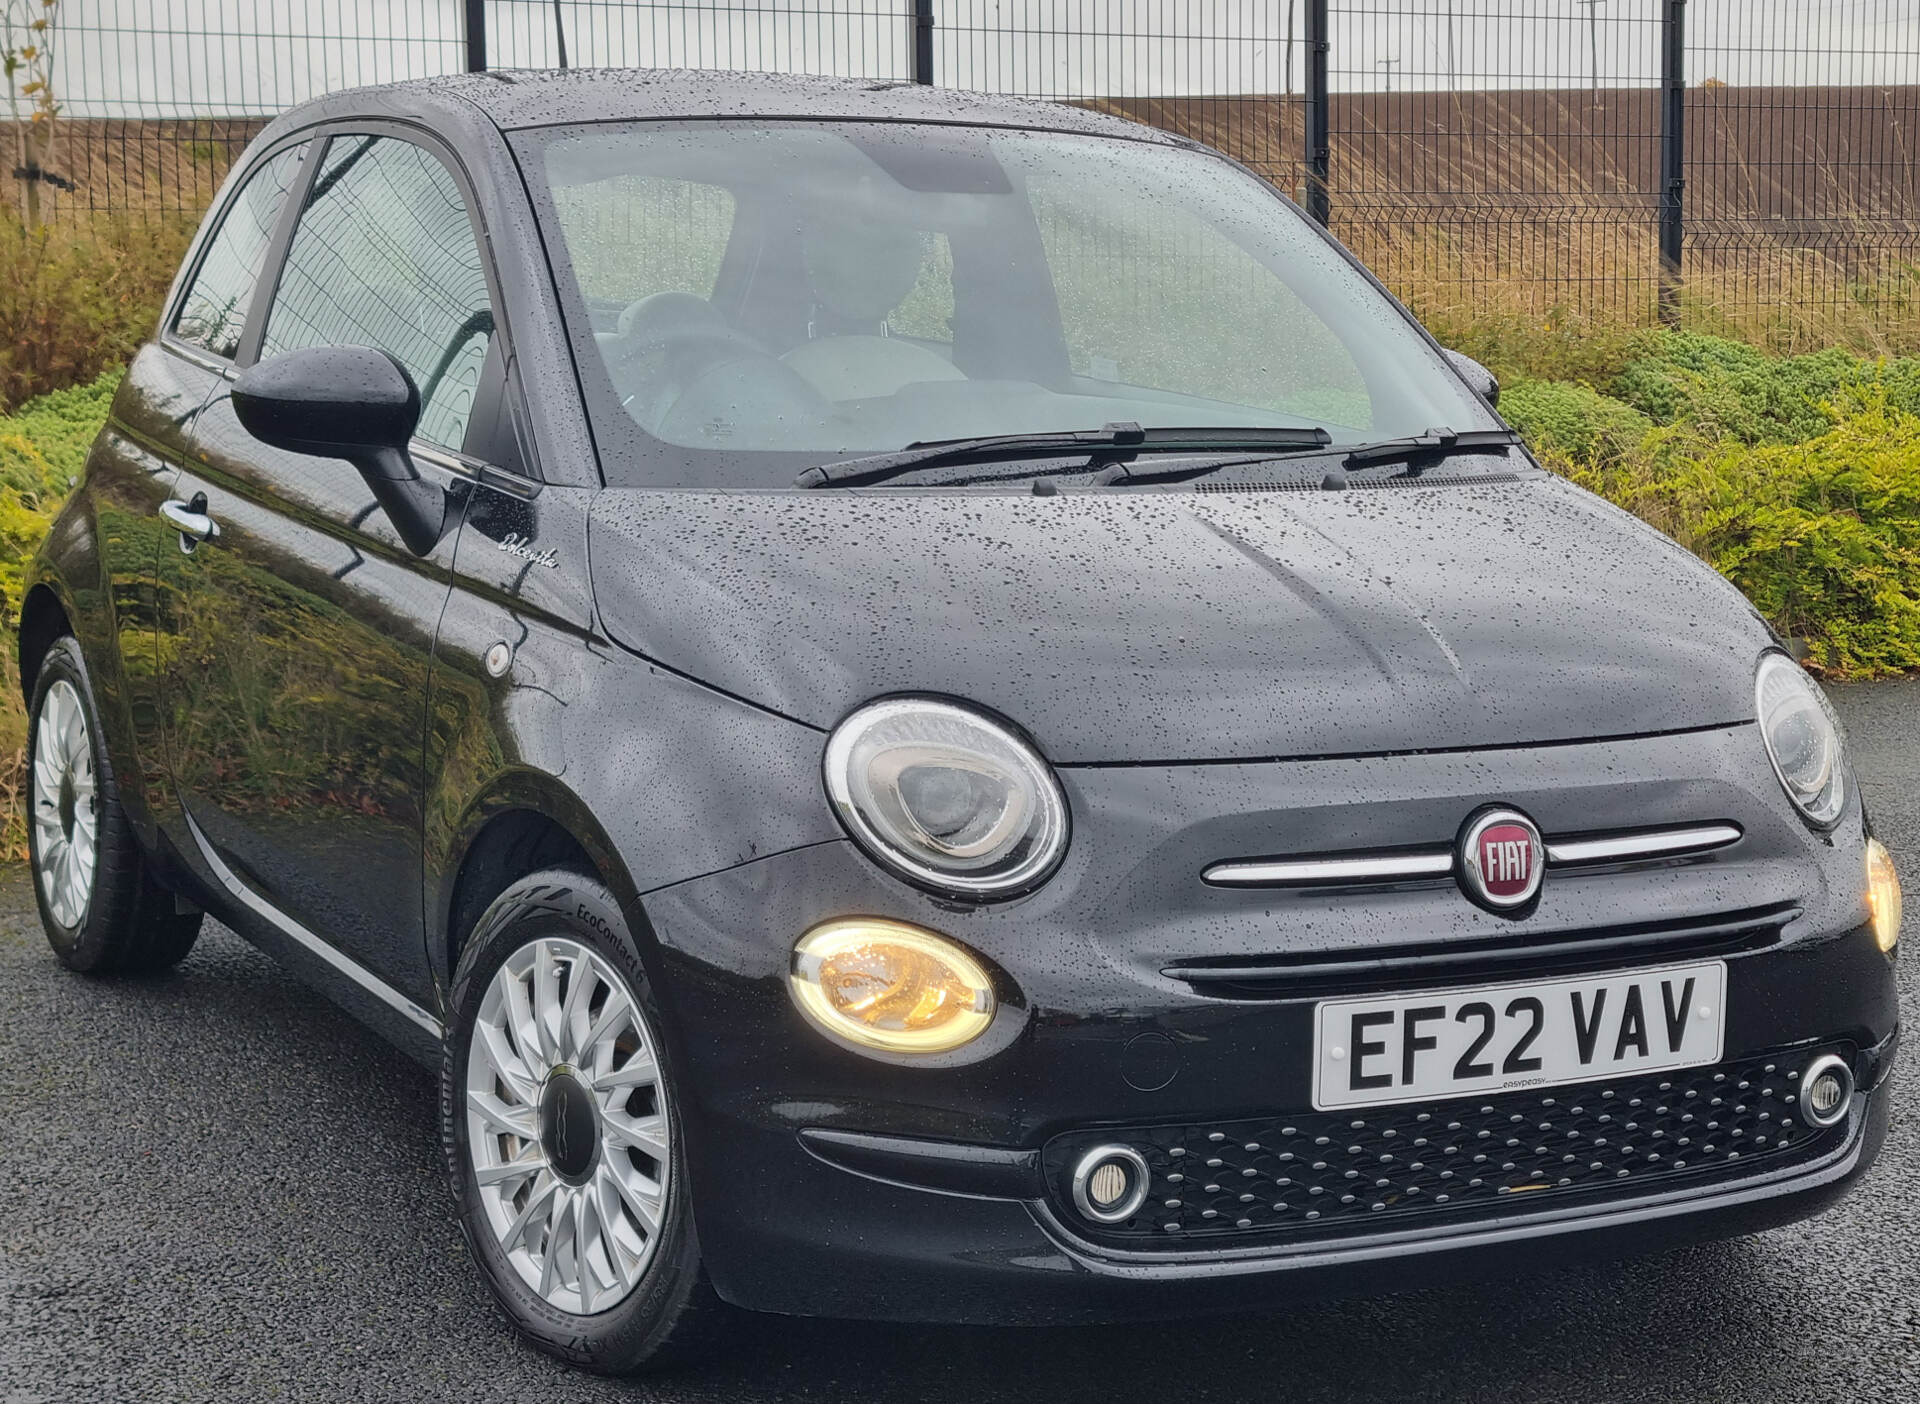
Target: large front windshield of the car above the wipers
{"points": [[750, 299]]}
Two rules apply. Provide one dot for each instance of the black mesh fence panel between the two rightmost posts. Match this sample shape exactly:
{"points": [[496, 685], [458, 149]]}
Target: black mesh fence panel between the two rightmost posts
{"points": [[1495, 153]]}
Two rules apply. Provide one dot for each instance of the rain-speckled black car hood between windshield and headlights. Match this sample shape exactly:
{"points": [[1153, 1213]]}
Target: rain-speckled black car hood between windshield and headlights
{"points": [[1189, 625]]}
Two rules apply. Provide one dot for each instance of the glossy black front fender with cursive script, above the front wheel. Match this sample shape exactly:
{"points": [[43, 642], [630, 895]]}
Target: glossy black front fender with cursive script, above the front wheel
{"points": [[658, 775]]}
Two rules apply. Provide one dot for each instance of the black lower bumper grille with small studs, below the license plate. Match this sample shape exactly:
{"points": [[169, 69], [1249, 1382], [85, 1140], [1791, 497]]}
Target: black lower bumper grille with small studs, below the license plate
{"points": [[1322, 1174]]}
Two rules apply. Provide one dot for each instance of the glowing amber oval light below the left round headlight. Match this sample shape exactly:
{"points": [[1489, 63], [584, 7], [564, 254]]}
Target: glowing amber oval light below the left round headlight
{"points": [[890, 986]]}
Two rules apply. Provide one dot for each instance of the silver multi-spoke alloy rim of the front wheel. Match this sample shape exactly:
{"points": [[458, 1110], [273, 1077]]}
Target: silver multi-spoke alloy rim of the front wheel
{"points": [[558, 1011]]}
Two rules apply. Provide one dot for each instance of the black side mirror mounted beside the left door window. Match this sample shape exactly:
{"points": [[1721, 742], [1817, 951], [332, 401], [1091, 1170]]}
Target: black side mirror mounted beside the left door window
{"points": [[356, 404]]}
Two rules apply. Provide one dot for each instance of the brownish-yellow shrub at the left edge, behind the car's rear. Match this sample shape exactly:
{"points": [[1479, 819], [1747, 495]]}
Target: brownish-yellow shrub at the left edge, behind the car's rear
{"points": [[76, 303]]}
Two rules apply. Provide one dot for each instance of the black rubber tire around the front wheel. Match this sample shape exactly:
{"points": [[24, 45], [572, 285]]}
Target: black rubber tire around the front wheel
{"points": [[671, 1317]]}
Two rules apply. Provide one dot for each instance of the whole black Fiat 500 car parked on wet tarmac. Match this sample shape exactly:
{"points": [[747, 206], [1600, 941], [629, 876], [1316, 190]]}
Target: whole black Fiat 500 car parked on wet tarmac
{"points": [[936, 710]]}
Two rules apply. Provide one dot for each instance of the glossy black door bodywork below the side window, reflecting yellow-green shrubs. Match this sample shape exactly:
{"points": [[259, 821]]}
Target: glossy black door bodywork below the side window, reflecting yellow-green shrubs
{"points": [[299, 650]]}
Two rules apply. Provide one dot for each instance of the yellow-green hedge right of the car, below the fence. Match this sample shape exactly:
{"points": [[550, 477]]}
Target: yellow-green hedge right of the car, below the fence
{"points": [[1796, 477]]}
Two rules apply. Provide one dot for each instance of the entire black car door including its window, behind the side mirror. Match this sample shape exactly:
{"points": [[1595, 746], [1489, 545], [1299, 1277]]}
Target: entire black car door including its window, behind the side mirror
{"points": [[302, 631]]}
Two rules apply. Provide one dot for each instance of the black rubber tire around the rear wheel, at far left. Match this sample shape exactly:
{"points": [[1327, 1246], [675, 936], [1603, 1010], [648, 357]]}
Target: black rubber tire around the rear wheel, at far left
{"points": [[130, 923]]}
